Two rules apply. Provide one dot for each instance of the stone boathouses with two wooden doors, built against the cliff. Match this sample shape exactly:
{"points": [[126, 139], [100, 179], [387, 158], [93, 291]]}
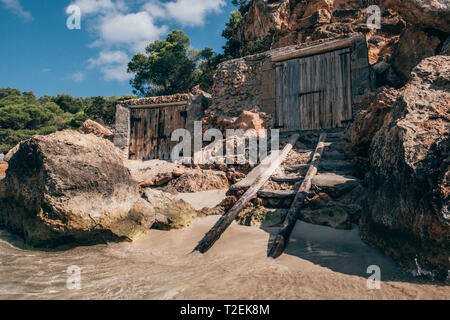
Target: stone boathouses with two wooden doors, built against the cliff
{"points": [[308, 87]]}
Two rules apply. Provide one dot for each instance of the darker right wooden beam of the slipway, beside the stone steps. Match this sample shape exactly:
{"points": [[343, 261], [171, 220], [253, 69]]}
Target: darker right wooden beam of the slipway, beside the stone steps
{"points": [[282, 238]]}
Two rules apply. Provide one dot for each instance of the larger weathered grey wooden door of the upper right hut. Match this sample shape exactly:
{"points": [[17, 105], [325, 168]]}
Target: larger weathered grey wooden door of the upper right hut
{"points": [[314, 92]]}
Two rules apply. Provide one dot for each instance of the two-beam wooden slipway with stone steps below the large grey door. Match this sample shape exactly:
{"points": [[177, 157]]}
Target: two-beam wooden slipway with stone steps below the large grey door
{"points": [[326, 157]]}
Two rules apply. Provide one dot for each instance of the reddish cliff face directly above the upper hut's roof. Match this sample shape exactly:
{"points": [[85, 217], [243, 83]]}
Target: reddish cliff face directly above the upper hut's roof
{"points": [[298, 22]]}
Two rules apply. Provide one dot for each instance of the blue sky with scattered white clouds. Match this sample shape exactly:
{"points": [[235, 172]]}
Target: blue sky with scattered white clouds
{"points": [[40, 54]]}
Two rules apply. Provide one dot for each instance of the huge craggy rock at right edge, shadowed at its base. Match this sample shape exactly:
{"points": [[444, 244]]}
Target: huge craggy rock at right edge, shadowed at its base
{"points": [[407, 209]]}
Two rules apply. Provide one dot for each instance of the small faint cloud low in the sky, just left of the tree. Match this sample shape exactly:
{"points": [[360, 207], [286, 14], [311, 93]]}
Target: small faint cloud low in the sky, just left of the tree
{"points": [[113, 65]]}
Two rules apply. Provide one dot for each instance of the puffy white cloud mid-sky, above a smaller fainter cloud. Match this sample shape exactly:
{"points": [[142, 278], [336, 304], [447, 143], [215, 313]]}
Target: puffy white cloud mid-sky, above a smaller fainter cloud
{"points": [[135, 30]]}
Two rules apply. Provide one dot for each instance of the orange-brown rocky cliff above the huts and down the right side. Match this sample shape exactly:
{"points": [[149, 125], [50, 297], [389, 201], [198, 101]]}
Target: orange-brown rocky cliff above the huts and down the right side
{"points": [[400, 135]]}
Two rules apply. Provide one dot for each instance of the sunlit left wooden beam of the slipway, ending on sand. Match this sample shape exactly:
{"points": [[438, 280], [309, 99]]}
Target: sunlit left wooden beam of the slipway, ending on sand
{"points": [[225, 221]]}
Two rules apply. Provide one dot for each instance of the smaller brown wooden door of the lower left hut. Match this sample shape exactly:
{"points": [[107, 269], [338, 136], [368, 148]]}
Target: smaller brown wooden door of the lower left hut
{"points": [[151, 131]]}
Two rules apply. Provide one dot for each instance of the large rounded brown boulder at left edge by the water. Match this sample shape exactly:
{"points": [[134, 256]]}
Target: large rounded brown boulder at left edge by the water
{"points": [[71, 188]]}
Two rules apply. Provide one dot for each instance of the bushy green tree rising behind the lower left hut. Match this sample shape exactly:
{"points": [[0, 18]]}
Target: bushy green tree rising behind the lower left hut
{"points": [[168, 67]]}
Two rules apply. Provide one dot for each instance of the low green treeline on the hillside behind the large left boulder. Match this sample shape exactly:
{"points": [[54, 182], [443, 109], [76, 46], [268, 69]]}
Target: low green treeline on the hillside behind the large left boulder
{"points": [[22, 115]]}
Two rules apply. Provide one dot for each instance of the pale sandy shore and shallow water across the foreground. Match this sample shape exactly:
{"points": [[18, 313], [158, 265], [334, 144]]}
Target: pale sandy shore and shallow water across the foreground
{"points": [[320, 263]]}
